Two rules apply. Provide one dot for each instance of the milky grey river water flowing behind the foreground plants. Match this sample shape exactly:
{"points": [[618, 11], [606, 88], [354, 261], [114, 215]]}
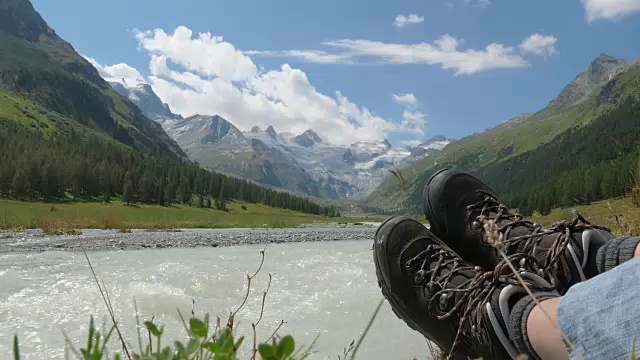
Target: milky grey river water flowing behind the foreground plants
{"points": [[319, 288]]}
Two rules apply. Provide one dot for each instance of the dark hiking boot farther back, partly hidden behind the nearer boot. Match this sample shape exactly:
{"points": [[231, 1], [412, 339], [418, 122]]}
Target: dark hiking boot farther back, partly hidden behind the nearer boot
{"points": [[460, 207]]}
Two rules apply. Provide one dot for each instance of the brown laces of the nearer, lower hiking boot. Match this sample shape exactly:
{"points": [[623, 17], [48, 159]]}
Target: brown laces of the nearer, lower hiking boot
{"points": [[433, 270]]}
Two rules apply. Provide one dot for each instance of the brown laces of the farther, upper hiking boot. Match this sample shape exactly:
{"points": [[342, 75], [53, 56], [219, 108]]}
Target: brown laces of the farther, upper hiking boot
{"points": [[490, 209]]}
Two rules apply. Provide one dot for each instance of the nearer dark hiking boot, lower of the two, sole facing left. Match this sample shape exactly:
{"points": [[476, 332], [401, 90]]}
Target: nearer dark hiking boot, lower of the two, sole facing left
{"points": [[465, 310]]}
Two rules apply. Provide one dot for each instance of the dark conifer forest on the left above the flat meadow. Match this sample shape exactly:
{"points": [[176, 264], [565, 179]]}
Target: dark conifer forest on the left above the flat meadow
{"points": [[83, 165]]}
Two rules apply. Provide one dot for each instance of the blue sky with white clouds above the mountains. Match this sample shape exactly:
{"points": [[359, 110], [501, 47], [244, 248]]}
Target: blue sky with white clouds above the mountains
{"points": [[352, 70]]}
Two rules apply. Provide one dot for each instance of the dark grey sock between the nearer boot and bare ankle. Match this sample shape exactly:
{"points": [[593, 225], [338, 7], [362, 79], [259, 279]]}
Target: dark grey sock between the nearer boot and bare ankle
{"points": [[518, 323]]}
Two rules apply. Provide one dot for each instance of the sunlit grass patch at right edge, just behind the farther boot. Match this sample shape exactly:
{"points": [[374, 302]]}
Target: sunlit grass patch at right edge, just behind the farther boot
{"points": [[617, 214]]}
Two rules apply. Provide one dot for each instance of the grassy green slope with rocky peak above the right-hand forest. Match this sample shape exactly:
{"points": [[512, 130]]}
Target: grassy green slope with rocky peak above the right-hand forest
{"points": [[604, 87]]}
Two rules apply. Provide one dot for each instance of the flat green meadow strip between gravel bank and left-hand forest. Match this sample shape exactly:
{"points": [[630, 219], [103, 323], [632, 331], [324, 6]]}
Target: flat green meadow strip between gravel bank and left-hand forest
{"points": [[116, 215]]}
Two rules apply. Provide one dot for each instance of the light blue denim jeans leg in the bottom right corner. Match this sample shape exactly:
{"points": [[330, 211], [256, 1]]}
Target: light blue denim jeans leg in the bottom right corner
{"points": [[601, 316]]}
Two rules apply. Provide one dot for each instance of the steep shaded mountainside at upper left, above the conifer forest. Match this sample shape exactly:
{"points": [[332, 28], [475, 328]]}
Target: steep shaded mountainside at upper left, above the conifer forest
{"points": [[46, 85]]}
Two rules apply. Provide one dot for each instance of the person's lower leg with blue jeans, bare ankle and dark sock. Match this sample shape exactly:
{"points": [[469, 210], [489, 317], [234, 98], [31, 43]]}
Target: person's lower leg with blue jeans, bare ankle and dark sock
{"points": [[598, 316]]}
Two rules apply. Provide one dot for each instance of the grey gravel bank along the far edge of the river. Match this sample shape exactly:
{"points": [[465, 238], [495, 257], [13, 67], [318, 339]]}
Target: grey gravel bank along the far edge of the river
{"points": [[90, 239]]}
